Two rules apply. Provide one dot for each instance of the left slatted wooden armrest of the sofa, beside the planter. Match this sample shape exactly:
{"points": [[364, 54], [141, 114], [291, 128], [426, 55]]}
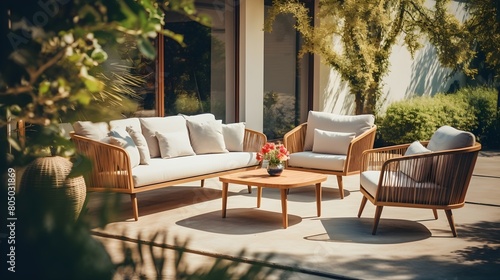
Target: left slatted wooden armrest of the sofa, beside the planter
{"points": [[111, 167]]}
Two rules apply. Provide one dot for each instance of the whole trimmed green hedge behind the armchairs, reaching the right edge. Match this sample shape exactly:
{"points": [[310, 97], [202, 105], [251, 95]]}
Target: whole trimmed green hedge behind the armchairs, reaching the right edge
{"points": [[417, 118]]}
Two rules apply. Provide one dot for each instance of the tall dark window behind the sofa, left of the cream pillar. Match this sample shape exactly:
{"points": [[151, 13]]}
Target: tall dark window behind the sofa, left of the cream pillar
{"points": [[195, 76]]}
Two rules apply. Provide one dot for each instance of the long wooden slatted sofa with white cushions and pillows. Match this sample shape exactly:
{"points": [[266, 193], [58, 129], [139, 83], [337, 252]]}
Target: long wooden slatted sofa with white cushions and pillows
{"points": [[135, 155]]}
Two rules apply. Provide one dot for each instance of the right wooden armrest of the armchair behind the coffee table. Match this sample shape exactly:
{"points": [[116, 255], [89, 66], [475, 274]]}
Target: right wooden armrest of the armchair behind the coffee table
{"points": [[356, 148]]}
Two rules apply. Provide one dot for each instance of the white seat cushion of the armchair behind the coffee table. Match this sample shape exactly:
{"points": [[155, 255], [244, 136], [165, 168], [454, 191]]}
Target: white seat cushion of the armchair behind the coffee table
{"points": [[317, 161]]}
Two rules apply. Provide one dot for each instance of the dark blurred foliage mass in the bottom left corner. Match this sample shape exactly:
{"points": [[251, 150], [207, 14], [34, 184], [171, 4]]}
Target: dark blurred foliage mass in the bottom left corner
{"points": [[50, 244]]}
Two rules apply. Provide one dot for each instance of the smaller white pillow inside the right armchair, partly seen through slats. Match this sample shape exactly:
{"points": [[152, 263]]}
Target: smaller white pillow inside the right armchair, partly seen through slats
{"points": [[417, 169]]}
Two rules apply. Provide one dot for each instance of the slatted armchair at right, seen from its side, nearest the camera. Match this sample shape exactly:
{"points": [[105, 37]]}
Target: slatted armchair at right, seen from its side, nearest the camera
{"points": [[433, 180]]}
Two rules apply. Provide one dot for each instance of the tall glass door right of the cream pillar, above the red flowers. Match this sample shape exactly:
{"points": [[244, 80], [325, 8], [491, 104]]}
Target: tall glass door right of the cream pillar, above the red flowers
{"points": [[285, 79]]}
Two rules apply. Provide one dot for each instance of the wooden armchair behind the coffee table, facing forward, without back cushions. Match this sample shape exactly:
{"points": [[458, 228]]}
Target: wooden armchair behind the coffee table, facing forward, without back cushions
{"points": [[295, 142]]}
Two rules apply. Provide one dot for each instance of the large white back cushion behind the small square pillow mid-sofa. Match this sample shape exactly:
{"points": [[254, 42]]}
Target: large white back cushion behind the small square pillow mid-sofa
{"points": [[167, 124]]}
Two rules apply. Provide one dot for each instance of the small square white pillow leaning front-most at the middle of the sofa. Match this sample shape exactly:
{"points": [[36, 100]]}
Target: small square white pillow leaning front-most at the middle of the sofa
{"points": [[174, 144]]}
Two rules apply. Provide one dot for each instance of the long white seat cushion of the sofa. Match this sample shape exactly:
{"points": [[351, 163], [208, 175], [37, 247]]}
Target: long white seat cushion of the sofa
{"points": [[163, 170]]}
